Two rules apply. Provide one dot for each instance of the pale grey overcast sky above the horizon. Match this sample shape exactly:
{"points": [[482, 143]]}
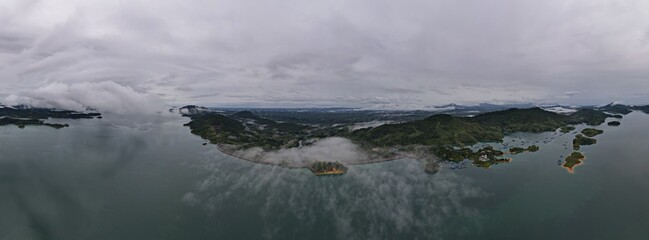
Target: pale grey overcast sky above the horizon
{"points": [[325, 53]]}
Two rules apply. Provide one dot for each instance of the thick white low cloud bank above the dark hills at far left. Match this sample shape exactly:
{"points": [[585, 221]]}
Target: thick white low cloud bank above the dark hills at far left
{"points": [[107, 96]]}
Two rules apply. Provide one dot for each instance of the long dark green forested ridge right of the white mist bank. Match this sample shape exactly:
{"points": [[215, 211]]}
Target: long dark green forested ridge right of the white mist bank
{"points": [[487, 127]]}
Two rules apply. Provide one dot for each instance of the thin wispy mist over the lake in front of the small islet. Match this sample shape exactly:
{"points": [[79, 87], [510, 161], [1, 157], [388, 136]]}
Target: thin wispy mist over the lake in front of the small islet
{"points": [[386, 200]]}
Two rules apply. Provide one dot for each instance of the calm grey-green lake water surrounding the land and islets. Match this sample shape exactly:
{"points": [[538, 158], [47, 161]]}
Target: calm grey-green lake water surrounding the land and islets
{"points": [[139, 179]]}
